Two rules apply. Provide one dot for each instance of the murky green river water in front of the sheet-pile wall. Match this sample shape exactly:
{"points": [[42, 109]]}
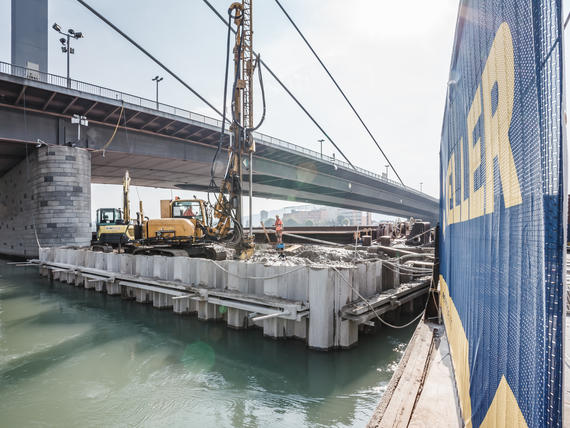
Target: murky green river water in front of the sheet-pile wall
{"points": [[73, 357]]}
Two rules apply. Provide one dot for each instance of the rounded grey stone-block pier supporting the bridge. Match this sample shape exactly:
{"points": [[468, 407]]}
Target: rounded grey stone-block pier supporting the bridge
{"points": [[46, 198]]}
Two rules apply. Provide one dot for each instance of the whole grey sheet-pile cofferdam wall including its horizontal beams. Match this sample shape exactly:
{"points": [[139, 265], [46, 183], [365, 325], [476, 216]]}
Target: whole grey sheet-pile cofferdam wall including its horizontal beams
{"points": [[306, 302]]}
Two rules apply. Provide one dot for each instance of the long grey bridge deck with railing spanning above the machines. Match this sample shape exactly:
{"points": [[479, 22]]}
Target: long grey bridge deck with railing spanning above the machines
{"points": [[165, 146]]}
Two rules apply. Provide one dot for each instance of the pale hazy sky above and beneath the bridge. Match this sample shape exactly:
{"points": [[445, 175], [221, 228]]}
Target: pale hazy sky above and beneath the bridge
{"points": [[391, 58]]}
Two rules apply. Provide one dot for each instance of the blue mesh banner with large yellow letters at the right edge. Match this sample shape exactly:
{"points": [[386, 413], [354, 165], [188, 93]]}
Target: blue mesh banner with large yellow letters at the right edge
{"points": [[503, 212]]}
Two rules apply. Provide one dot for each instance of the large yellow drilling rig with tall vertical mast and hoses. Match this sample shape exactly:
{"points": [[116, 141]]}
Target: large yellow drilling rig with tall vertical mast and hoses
{"points": [[186, 227]]}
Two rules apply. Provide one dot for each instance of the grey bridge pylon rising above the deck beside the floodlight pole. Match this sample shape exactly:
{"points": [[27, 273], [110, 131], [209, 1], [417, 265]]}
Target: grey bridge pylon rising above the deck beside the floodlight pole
{"points": [[29, 33]]}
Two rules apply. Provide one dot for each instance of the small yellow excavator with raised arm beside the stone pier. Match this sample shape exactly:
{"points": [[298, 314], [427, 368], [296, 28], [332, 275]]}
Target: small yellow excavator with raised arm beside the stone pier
{"points": [[114, 226]]}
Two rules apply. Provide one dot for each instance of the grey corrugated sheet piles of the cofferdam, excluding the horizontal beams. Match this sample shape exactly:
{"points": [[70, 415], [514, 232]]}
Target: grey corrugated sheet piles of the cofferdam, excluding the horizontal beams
{"points": [[323, 290]]}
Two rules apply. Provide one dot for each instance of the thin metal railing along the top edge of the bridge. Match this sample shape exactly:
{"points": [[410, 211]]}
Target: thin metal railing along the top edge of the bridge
{"points": [[61, 81]]}
